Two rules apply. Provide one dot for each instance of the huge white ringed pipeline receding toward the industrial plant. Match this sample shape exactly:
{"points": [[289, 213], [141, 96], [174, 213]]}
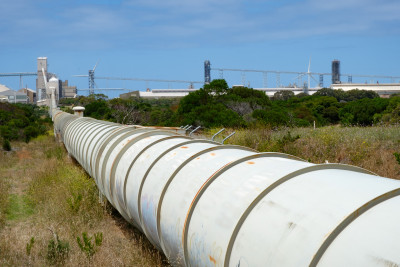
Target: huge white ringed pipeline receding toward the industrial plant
{"points": [[206, 204]]}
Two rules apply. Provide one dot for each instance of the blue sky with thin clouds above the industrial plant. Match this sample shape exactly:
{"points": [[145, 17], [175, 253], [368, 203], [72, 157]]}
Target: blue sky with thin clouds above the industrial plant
{"points": [[170, 39]]}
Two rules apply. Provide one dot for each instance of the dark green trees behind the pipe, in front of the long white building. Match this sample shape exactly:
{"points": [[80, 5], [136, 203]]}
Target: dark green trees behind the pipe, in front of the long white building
{"points": [[217, 105]]}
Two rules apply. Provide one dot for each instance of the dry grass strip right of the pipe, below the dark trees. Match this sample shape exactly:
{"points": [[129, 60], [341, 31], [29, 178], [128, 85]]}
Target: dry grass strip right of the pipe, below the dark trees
{"points": [[371, 148]]}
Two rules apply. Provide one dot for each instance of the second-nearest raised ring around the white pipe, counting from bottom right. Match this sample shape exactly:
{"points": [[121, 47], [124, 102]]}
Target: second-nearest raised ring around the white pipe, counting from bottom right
{"points": [[275, 185]]}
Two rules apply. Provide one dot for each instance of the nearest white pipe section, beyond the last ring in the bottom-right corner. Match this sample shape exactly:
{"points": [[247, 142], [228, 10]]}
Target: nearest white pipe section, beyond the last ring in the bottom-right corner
{"points": [[369, 241]]}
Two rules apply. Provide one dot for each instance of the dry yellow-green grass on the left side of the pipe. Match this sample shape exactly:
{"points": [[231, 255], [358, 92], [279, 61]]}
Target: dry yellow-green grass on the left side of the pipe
{"points": [[47, 201]]}
